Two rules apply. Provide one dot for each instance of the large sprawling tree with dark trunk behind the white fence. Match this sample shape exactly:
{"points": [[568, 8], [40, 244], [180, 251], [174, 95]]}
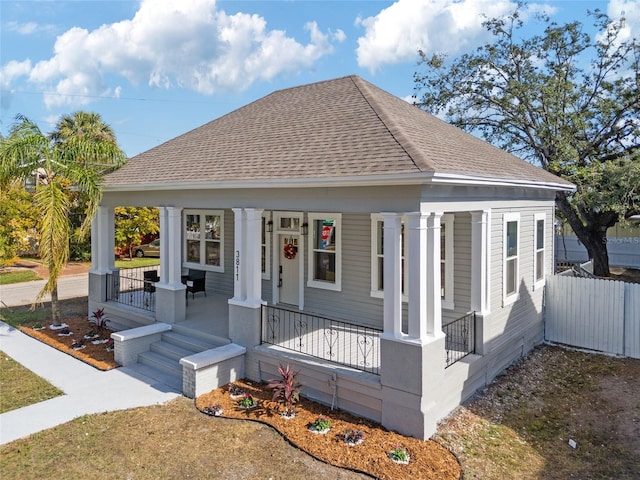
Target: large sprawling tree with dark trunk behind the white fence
{"points": [[562, 100]]}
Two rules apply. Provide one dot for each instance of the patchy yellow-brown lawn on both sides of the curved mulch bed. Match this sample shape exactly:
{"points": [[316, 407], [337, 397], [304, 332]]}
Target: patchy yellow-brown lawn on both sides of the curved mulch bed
{"points": [[519, 427]]}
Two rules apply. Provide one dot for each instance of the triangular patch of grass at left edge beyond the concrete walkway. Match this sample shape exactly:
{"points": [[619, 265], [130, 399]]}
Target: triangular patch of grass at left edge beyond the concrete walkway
{"points": [[20, 387]]}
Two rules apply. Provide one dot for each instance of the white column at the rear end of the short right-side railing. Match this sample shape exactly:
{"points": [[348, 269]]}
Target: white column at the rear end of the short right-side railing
{"points": [[479, 262]]}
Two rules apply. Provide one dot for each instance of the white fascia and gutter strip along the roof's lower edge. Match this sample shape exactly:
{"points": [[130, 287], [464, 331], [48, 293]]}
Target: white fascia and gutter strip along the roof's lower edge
{"points": [[344, 181]]}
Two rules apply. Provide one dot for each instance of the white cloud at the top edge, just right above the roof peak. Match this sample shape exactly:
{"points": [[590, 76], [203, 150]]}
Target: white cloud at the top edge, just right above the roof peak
{"points": [[436, 26]]}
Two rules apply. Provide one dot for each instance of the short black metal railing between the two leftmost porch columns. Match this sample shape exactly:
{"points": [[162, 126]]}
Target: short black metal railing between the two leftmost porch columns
{"points": [[130, 287]]}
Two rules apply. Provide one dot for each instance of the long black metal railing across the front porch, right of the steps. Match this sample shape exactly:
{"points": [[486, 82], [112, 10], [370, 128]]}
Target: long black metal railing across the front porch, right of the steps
{"points": [[355, 346]]}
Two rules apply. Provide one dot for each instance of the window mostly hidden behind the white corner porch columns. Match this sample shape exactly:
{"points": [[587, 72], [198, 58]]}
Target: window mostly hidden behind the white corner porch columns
{"points": [[446, 259]]}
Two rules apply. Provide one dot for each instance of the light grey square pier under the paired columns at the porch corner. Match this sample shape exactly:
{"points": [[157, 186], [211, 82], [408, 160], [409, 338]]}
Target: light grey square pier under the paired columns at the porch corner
{"points": [[410, 373]]}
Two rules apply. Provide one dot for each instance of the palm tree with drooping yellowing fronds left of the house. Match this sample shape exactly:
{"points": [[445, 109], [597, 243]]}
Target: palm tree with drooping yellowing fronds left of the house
{"points": [[65, 162]]}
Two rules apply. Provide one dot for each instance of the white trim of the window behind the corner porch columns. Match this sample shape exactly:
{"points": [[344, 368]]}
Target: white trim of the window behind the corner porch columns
{"points": [[446, 301]]}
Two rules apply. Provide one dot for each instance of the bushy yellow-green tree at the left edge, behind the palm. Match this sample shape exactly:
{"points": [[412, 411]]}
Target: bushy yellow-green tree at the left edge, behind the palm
{"points": [[18, 221]]}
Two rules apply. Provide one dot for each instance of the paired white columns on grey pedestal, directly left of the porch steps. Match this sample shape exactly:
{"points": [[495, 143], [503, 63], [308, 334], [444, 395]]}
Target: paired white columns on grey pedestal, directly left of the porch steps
{"points": [[170, 296]]}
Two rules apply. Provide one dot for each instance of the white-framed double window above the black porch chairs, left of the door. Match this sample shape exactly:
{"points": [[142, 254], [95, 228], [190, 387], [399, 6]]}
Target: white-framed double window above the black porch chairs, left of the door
{"points": [[203, 238]]}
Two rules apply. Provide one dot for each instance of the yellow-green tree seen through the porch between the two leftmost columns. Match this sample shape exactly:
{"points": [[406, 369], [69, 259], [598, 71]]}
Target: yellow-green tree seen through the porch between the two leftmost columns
{"points": [[132, 223]]}
